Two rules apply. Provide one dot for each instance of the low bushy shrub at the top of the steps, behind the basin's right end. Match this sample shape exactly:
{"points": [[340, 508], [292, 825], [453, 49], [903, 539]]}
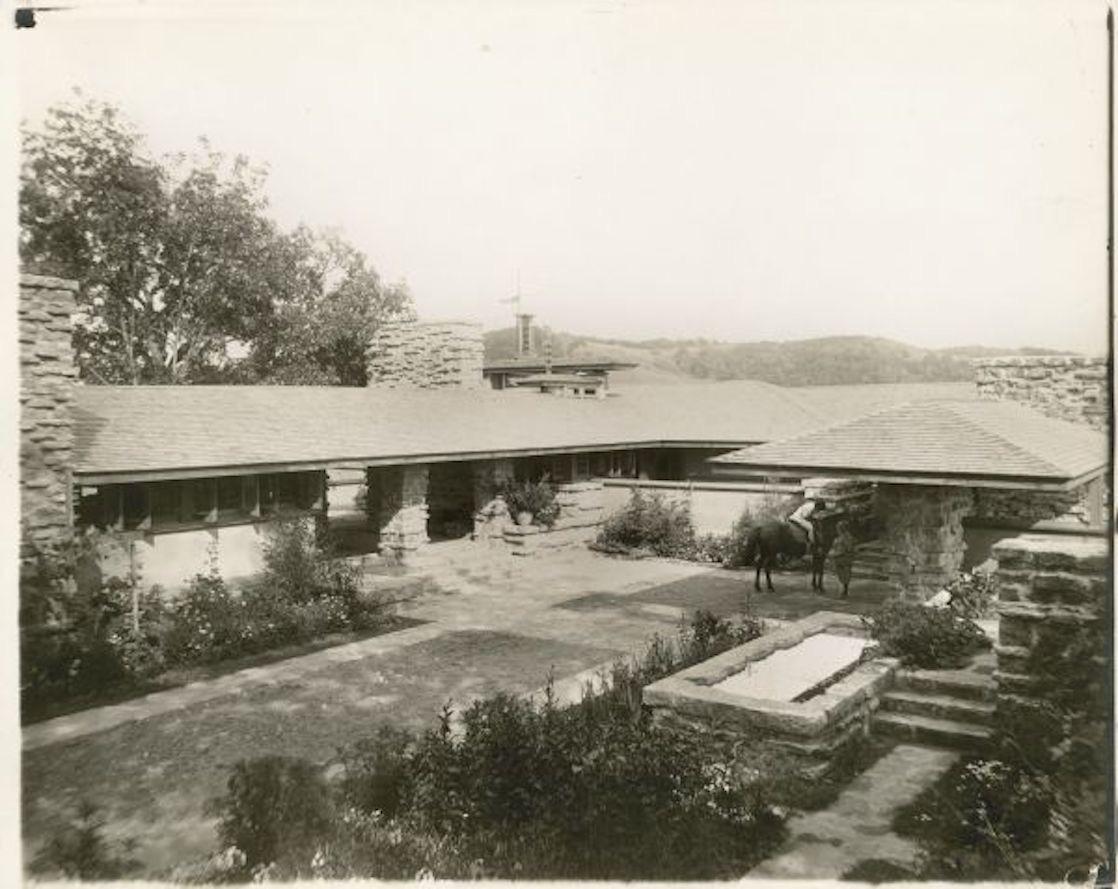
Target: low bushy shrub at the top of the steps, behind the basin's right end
{"points": [[924, 637]]}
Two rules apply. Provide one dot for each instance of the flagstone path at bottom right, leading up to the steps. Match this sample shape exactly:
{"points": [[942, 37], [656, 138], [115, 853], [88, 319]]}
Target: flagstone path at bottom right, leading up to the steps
{"points": [[858, 827]]}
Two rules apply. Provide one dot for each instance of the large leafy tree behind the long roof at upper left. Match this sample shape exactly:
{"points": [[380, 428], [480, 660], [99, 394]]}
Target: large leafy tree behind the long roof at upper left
{"points": [[185, 279]]}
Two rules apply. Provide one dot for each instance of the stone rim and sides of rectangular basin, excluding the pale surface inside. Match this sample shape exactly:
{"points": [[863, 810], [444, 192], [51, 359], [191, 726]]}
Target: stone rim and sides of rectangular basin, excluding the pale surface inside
{"points": [[816, 729]]}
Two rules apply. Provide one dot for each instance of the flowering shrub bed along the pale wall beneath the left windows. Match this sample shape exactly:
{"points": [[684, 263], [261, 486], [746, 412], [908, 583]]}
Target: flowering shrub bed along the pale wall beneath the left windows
{"points": [[82, 633]]}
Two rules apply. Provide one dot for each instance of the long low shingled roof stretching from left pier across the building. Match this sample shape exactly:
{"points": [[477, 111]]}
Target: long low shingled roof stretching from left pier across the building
{"points": [[134, 432]]}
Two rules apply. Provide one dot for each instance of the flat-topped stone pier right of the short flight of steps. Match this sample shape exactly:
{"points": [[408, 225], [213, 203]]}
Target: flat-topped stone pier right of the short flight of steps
{"points": [[1054, 597]]}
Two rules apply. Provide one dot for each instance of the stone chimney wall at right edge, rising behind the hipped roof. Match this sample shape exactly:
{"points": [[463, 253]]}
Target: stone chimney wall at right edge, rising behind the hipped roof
{"points": [[1066, 387]]}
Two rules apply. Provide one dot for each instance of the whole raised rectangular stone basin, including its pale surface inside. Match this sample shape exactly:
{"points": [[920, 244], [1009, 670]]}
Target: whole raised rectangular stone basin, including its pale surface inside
{"points": [[810, 686]]}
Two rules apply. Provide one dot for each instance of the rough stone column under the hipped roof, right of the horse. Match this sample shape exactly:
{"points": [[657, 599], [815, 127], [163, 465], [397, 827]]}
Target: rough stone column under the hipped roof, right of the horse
{"points": [[923, 535]]}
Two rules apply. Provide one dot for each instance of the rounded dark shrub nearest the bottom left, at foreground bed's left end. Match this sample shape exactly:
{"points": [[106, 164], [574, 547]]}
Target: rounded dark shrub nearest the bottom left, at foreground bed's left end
{"points": [[274, 808]]}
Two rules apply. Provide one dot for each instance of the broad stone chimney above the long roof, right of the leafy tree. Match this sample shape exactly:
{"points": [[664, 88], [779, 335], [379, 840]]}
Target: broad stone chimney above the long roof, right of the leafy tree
{"points": [[431, 355]]}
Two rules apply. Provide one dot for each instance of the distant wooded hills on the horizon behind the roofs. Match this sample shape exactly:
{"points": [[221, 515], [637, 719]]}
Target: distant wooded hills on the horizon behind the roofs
{"points": [[797, 363]]}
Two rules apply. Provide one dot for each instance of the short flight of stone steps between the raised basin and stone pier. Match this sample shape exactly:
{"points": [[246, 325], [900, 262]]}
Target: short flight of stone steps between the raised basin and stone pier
{"points": [[946, 708]]}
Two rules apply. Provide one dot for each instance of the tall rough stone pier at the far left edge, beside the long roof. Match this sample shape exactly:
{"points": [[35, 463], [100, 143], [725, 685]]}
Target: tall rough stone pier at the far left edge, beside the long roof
{"points": [[46, 398]]}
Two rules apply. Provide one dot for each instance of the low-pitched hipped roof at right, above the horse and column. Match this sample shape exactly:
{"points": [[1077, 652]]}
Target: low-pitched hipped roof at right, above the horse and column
{"points": [[951, 442]]}
